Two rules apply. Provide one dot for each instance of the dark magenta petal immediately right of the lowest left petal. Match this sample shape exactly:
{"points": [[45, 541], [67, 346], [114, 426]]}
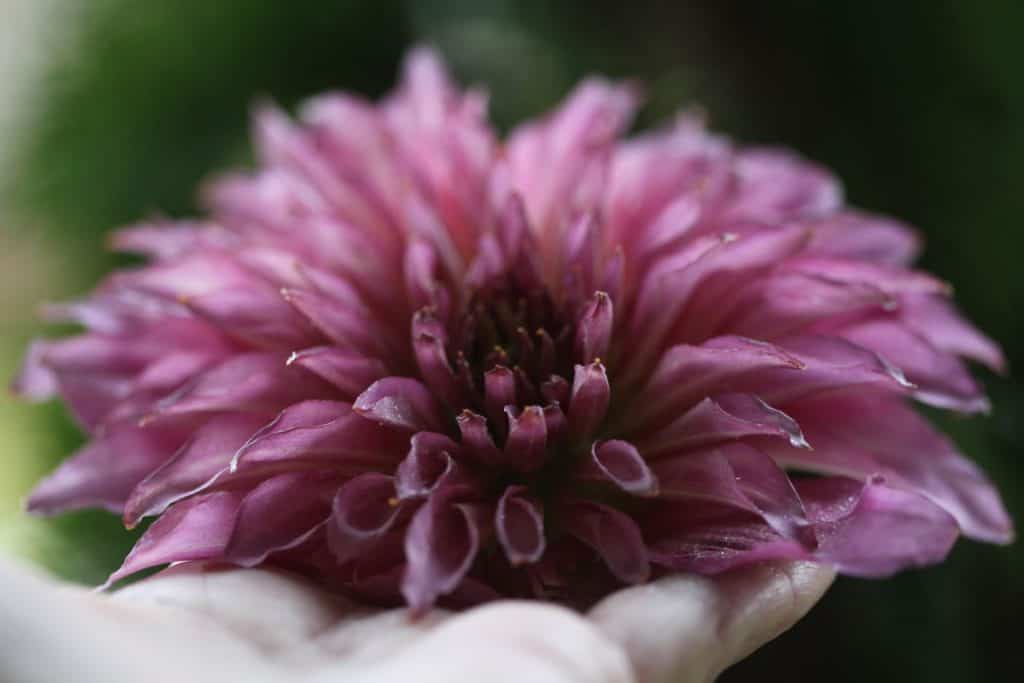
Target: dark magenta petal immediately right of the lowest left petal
{"points": [[280, 514]]}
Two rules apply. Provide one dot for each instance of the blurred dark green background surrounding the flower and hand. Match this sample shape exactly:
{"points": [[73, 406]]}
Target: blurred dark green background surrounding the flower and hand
{"points": [[114, 110]]}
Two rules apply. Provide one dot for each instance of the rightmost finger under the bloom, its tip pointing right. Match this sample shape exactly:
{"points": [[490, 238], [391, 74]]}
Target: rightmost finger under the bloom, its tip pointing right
{"points": [[692, 628]]}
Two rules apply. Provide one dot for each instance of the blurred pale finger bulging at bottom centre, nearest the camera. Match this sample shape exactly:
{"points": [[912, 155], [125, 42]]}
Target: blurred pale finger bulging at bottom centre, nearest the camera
{"points": [[507, 643]]}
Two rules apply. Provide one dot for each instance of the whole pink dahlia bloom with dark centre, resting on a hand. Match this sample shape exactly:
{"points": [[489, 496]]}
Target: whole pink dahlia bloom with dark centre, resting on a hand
{"points": [[418, 363]]}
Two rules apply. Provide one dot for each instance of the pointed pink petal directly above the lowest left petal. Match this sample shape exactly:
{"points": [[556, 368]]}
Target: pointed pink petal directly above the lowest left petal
{"points": [[197, 463]]}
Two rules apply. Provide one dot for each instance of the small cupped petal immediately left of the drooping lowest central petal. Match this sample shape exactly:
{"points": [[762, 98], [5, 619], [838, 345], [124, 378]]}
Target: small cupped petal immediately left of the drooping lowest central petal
{"points": [[364, 510]]}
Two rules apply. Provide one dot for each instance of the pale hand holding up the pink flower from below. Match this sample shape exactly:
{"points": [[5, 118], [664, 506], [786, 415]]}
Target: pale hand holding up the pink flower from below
{"points": [[200, 624]]}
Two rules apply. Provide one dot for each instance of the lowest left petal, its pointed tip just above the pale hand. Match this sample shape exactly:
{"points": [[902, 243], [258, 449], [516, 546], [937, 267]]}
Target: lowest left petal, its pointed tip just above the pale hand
{"points": [[198, 529]]}
